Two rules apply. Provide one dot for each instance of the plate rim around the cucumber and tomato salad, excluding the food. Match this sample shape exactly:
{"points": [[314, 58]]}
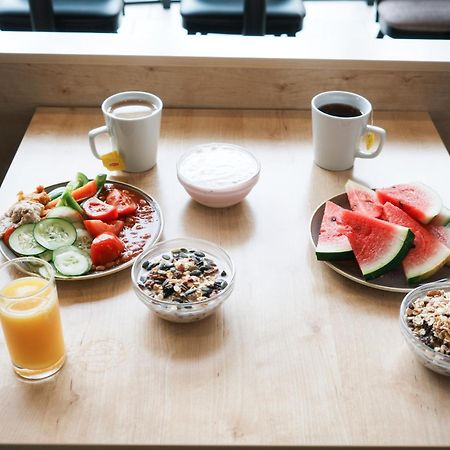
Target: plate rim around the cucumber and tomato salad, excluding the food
{"points": [[155, 233]]}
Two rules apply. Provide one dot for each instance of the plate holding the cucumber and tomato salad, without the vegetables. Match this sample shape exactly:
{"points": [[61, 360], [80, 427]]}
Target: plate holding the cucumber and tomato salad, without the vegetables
{"points": [[153, 231]]}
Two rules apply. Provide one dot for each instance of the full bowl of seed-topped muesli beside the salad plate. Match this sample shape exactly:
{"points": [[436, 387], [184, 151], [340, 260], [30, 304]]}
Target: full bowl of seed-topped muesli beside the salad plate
{"points": [[183, 279]]}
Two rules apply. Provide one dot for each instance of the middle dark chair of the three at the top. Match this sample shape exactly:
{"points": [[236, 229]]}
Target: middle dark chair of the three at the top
{"points": [[227, 16]]}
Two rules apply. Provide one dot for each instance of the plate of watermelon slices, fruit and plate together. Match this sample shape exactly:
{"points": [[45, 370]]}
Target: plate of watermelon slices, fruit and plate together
{"points": [[393, 238]]}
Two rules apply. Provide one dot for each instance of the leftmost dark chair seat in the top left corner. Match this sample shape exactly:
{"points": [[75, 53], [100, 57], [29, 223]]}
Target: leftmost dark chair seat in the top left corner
{"points": [[68, 15]]}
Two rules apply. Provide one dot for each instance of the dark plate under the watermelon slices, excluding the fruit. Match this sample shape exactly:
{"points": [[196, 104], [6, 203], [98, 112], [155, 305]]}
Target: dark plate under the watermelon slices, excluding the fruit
{"points": [[393, 281]]}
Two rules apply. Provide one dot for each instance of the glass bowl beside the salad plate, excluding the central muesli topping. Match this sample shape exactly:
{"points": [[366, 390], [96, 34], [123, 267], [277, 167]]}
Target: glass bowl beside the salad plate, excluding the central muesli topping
{"points": [[183, 311]]}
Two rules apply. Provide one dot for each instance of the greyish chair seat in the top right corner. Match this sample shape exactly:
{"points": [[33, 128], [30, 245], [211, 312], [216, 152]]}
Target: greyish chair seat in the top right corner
{"points": [[409, 19]]}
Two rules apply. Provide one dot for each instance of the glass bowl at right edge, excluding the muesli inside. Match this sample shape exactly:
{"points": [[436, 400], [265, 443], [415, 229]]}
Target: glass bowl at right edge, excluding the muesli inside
{"points": [[430, 358]]}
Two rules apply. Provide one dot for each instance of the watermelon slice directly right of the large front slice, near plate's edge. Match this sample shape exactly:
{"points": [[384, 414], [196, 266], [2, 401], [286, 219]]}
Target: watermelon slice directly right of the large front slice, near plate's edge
{"points": [[428, 254]]}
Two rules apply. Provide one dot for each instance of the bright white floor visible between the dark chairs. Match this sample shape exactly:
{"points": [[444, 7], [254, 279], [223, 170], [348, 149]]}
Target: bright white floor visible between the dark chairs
{"points": [[324, 19]]}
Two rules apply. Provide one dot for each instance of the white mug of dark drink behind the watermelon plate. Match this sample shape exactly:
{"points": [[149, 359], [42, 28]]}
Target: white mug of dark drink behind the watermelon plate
{"points": [[337, 139]]}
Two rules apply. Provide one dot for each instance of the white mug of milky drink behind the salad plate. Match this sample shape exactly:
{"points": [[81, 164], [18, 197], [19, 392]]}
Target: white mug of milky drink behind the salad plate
{"points": [[134, 136]]}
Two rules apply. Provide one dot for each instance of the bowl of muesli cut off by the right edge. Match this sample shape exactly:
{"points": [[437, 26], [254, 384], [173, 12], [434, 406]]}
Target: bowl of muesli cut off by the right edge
{"points": [[425, 324]]}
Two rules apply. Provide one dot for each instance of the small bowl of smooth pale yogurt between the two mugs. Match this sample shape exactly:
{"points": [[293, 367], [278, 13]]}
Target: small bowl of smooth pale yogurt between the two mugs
{"points": [[218, 174]]}
